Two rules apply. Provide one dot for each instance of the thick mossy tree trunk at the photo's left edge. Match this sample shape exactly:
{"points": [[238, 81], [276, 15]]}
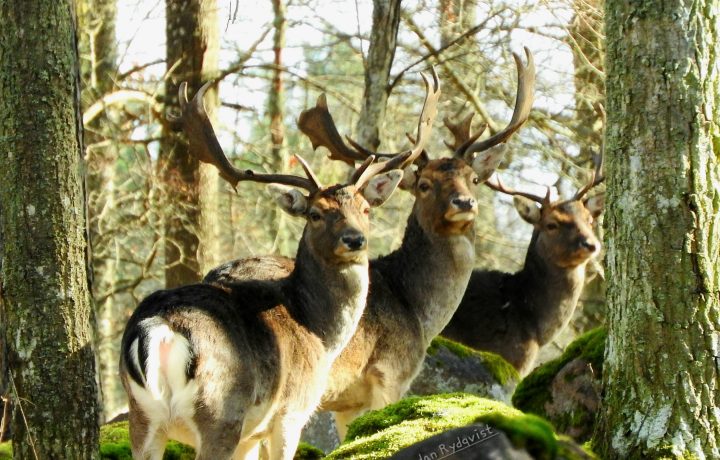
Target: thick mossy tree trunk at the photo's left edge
{"points": [[45, 290]]}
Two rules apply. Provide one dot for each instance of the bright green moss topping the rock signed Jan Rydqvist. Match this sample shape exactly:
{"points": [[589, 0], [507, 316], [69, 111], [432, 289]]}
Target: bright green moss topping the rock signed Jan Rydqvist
{"points": [[380, 434]]}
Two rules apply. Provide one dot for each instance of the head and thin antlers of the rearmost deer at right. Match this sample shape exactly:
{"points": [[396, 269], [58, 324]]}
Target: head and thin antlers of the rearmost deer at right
{"points": [[564, 234]]}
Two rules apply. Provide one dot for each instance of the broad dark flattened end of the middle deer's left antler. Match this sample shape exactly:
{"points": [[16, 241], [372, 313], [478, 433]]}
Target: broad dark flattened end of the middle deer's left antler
{"points": [[318, 125]]}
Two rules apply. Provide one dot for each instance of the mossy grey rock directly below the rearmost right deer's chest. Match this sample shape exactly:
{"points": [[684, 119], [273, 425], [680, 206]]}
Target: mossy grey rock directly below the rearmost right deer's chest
{"points": [[451, 367]]}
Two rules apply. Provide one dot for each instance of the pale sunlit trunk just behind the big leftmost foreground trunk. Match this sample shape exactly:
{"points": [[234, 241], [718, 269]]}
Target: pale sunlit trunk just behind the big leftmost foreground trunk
{"points": [[98, 68]]}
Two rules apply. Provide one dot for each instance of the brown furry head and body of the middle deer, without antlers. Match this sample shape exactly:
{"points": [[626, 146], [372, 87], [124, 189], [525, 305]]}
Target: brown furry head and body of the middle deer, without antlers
{"points": [[413, 293]]}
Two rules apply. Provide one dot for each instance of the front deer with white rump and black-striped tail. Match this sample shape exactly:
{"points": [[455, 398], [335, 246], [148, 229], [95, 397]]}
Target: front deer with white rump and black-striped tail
{"points": [[220, 368]]}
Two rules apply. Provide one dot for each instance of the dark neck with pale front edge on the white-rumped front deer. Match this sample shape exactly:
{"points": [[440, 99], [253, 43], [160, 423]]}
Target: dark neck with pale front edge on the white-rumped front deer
{"points": [[328, 299]]}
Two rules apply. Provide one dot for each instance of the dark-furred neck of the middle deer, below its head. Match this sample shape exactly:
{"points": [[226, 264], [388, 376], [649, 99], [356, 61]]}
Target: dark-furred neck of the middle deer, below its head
{"points": [[429, 274]]}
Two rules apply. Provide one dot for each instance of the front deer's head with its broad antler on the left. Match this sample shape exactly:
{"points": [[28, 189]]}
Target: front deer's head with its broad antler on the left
{"points": [[337, 216]]}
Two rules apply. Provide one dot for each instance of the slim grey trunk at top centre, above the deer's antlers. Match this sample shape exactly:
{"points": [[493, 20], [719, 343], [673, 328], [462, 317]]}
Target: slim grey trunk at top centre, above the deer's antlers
{"points": [[383, 40]]}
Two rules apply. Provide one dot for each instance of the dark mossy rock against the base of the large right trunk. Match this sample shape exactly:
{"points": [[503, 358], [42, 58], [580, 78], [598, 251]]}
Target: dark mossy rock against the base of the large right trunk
{"points": [[566, 390]]}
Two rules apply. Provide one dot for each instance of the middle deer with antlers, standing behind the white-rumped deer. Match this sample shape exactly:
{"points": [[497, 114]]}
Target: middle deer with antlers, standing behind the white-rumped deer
{"points": [[415, 289]]}
